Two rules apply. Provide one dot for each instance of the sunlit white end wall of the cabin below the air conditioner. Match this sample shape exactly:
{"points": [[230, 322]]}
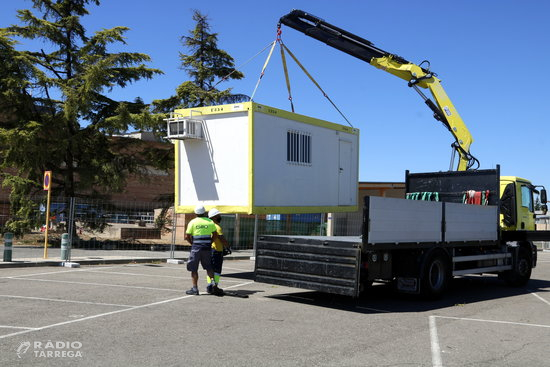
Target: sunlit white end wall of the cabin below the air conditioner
{"points": [[215, 171]]}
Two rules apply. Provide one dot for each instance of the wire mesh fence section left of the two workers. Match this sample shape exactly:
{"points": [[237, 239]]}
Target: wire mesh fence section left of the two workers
{"points": [[96, 225]]}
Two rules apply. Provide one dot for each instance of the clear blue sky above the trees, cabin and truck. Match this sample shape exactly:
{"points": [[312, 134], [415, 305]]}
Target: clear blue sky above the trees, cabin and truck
{"points": [[491, 55]]}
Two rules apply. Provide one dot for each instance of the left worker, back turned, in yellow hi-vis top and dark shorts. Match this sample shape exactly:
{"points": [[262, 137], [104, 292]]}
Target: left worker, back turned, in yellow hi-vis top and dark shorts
{"points": [[200, 232]]}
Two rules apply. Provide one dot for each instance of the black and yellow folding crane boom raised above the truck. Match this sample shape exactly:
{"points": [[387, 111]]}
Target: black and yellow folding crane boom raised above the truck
{"points": [[415, 75]]}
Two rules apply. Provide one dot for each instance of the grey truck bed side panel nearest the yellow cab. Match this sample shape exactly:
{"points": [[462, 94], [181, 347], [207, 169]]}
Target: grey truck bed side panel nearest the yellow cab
{"points": [[470, 222]]}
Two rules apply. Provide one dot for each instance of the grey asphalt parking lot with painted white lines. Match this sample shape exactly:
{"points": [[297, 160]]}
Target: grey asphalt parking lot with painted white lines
{"points": [[138, 314]]}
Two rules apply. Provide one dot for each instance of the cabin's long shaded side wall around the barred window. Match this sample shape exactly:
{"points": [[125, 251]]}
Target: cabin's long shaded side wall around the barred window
{"points": [[278, 182]]}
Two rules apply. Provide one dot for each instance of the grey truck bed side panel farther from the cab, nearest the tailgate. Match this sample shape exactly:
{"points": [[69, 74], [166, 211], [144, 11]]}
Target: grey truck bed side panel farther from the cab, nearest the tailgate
{"points": [[399, 220]]}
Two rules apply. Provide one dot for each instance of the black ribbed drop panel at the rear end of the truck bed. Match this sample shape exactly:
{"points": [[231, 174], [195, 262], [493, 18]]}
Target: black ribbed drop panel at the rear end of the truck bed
{"points": [[313, 263]]}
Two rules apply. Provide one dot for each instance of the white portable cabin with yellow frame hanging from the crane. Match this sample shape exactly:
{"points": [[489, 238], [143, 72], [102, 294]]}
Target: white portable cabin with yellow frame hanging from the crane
{"points": [[253, 159]]}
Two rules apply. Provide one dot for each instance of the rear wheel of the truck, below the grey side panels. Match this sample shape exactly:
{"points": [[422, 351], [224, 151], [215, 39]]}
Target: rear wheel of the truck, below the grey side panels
{"points": [[435, 275]]}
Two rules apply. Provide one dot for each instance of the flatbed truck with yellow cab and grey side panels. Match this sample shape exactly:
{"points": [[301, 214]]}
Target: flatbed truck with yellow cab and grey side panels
{"points": [[419, 245]]}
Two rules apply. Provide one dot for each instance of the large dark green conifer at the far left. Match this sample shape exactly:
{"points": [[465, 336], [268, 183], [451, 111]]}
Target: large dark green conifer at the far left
{"points": [[54, 110]]}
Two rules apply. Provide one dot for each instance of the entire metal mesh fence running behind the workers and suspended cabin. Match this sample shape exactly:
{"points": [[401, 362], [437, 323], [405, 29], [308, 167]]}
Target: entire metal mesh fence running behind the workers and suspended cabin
{"points": [[103, 226]]}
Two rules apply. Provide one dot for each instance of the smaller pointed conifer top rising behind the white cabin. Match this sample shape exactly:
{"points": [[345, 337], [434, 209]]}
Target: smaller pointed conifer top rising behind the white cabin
{"points": [[207, 66]]}
